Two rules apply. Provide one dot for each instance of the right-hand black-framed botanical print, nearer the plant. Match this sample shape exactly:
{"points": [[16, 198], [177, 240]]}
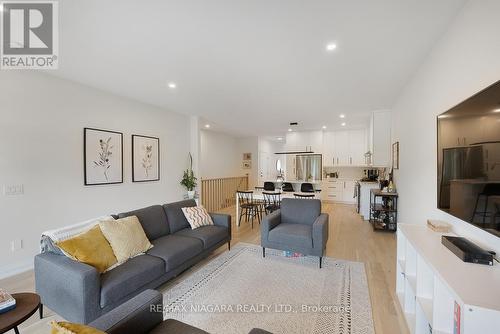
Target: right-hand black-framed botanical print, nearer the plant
{"points": [[145, 158]]}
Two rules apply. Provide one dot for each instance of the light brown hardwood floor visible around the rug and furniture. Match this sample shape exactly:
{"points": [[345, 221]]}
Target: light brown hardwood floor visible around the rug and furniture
{"points": [[350, 238]]}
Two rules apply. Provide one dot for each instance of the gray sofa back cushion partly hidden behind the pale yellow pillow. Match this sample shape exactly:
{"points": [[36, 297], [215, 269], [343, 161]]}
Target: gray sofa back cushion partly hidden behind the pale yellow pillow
{"points": [[152, 219]]}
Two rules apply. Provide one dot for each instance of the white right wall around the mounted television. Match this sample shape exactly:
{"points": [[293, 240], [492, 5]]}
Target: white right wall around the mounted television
{"points": [[464, 62]]}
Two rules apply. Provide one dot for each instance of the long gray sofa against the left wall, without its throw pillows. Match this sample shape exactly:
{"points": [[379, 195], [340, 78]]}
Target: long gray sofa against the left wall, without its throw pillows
{"points": [[78, 293]]}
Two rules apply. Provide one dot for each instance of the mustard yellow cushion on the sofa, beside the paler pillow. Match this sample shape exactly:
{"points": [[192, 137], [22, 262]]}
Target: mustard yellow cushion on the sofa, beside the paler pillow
{"points": [[90, 247]]}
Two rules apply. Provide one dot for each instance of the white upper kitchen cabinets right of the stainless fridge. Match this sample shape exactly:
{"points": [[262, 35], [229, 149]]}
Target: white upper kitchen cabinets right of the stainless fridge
{"points": [[345, 148]]}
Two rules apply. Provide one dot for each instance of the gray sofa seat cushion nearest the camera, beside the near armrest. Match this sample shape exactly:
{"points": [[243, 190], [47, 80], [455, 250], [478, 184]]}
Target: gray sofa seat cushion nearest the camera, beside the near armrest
{"points": [[129, 277]]}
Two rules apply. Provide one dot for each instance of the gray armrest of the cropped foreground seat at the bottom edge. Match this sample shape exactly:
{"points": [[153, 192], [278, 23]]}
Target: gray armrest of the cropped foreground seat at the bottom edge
{"points": [[138, 315]]}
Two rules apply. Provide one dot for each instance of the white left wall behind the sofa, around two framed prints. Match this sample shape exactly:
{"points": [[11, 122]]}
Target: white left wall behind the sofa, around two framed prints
{"points": [[41, 146]]}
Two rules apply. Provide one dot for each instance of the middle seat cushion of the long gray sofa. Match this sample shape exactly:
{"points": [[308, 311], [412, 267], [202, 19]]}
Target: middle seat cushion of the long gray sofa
{"points": [[174, 250]]}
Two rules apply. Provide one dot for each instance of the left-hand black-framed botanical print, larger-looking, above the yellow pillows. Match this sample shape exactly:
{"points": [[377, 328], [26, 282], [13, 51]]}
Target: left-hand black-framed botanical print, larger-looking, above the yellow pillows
{"points": [[103, 156]]}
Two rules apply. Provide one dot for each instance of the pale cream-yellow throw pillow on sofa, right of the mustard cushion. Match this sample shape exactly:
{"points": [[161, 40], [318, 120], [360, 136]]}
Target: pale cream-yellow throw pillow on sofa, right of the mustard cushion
{"points": [[126, 237]]}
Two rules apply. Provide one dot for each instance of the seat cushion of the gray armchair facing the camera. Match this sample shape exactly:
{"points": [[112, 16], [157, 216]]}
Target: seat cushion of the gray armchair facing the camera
{"points": [[297, 235]]}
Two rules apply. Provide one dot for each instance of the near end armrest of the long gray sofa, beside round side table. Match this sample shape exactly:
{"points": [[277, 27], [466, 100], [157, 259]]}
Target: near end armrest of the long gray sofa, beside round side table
{"points": [[69, 288]]}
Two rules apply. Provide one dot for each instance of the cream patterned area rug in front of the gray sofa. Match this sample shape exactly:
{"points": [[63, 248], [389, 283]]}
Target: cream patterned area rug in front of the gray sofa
{"points": [[239, 290]]}
